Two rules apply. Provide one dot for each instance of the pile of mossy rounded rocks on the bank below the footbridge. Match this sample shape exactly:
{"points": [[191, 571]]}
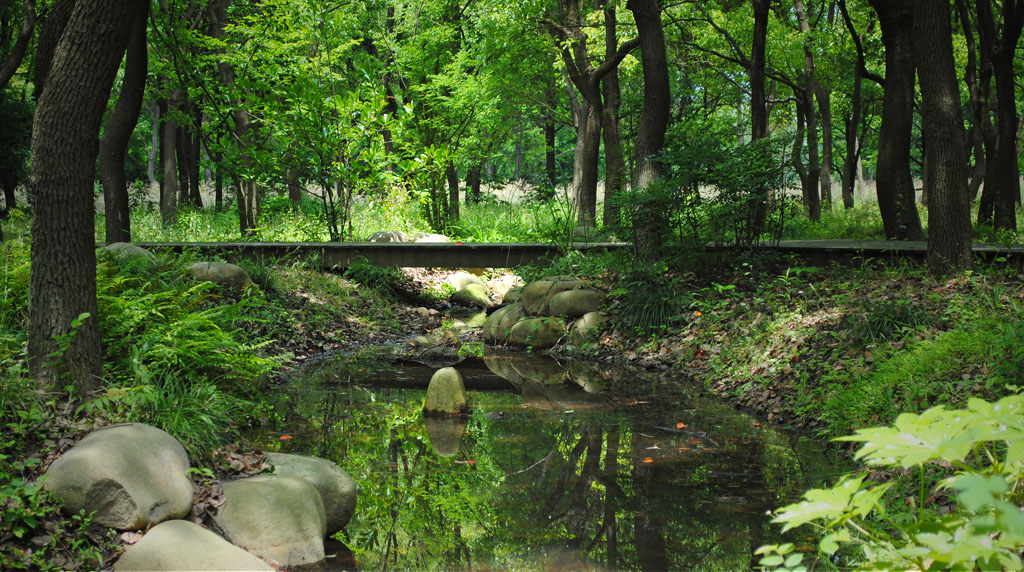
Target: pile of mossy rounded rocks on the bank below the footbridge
{"points": [[539, 315]]}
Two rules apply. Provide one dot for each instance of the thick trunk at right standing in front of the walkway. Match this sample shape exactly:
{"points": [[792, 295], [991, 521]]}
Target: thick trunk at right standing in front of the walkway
{"points": [[950, 208]]}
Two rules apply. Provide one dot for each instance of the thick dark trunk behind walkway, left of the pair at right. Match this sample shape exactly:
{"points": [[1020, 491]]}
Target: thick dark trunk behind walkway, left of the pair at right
{"points": [[894, 185]]}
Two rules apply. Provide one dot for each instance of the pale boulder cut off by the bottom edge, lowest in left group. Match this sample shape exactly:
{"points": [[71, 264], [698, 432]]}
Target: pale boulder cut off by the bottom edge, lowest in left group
{"points": [[162, 550]]}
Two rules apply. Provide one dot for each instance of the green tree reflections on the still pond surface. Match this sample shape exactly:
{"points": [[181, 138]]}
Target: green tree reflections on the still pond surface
{"points": [[545, 490]]}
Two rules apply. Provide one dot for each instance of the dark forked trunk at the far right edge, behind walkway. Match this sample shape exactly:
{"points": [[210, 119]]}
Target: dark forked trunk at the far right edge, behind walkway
{"points": [[1003, 175]]}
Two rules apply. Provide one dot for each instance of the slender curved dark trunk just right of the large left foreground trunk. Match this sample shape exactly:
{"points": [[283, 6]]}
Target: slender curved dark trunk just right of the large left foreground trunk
{"points": [[118, 133]]}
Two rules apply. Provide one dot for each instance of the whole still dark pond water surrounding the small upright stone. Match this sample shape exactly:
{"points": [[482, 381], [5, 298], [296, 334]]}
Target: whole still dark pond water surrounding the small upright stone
{"points": [[585, 469]]}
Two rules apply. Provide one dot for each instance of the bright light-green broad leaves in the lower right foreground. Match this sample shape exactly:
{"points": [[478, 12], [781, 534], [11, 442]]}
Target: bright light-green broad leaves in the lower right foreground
{"points": [[984, 449]]}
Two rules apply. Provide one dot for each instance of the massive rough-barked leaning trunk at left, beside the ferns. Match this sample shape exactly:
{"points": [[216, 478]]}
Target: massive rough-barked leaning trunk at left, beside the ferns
{"points": [[65, 145]]}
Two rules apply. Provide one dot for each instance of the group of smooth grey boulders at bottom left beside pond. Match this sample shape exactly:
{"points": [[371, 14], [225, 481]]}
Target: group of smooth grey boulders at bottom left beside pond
{"points": [[134, 477]]}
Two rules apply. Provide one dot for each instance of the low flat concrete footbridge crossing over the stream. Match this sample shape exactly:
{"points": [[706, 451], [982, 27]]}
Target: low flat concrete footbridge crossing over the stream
{"points": [[511, 255]]}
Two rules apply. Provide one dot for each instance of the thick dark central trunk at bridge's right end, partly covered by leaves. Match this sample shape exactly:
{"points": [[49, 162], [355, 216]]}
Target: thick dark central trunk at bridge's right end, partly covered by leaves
{"points": [[651, 225]]}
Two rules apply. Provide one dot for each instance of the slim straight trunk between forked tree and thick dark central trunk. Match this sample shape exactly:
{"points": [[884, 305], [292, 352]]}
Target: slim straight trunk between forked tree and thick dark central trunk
{"points": [[615, 163]]}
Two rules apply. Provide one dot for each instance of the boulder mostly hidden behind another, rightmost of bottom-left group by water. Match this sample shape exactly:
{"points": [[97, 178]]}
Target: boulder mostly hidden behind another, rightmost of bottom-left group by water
{"points": [[336, 488]]}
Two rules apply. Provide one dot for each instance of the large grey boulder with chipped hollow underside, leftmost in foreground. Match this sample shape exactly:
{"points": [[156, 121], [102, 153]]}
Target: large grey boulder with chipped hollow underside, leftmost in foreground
{"points": [[133, 476]]}
